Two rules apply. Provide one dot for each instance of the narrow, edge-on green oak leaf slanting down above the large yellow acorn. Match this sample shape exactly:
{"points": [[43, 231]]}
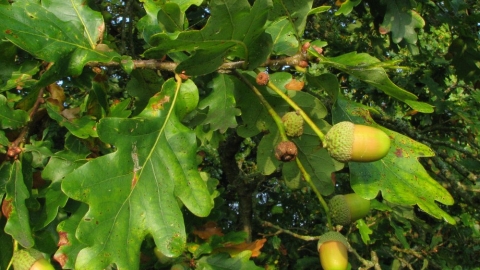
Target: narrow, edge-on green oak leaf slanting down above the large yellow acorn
{"points": [[370, 70]]}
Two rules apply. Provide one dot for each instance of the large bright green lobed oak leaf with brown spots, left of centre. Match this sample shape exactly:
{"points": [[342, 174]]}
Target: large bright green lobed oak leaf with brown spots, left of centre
{"points": [[154, 165]]}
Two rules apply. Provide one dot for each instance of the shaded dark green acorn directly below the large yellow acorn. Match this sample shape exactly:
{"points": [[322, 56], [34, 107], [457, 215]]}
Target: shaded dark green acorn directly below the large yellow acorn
{"points": [[348, 208]]}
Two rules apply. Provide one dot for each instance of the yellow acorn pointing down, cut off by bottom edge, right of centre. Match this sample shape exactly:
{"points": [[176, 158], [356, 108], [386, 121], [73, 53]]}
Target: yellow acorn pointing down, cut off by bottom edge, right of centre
{"points": [[332, 249]]}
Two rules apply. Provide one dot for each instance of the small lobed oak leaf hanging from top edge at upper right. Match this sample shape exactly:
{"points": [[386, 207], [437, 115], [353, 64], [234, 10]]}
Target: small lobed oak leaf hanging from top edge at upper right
{"points": [[401, 20]]}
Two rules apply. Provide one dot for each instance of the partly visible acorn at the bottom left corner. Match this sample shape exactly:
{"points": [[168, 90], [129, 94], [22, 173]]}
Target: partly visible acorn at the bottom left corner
{"points": [[30, 259]]}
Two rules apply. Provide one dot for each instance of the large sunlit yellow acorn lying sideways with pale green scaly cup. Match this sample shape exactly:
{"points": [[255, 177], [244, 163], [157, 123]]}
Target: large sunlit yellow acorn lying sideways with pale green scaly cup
{"points": [[347, 141]]}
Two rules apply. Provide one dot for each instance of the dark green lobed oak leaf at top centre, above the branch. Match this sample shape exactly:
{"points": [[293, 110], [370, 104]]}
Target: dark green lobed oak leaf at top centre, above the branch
{"points": [[234, 29]]}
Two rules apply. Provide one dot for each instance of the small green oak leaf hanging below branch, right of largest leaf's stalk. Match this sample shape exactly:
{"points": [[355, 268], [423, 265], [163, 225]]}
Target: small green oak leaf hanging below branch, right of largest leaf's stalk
{"points": [[221, 103]]}
